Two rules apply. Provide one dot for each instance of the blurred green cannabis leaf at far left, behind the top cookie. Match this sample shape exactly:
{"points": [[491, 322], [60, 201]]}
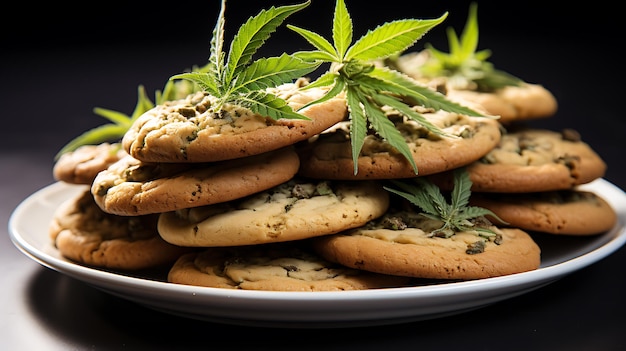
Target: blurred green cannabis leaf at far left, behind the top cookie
{"points": [[110, 131]]}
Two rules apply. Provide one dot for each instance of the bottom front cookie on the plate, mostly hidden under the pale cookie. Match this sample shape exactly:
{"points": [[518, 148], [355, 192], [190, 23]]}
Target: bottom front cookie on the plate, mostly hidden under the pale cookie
{"points": [[272, 267]]}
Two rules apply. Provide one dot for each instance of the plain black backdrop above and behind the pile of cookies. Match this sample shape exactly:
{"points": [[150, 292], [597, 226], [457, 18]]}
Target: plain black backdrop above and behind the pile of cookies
{"points": [[58, 61]]}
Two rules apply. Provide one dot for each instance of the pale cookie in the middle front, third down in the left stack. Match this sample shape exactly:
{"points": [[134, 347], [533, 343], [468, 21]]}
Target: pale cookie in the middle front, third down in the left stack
{"points": [[297, 209]]}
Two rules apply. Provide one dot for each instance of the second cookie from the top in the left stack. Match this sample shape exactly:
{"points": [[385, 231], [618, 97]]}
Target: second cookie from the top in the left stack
{"points": [[131, 187]]}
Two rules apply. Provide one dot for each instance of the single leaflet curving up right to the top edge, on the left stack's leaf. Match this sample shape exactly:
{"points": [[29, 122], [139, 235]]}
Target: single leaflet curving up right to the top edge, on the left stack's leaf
{"points": [[253, 34]]}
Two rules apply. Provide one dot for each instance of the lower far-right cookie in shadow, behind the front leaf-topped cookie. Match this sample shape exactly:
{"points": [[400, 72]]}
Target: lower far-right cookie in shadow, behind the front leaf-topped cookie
{"points": [[568, 212]]}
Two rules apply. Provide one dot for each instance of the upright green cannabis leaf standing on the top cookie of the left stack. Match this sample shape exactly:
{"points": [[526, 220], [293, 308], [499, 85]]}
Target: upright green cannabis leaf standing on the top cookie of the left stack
{"points": [[236, 79]]}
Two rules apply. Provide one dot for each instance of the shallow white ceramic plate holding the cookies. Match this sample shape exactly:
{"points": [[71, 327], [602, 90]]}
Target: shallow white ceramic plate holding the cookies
{"points": [[28, 227]]}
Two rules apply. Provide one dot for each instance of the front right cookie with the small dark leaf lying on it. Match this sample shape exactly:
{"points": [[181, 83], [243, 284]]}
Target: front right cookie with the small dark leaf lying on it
{"points": [[414, 252]]}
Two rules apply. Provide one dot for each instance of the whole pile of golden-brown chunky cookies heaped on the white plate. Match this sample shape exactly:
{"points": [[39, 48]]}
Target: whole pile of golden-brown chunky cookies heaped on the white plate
{"points": [[243, 201]]}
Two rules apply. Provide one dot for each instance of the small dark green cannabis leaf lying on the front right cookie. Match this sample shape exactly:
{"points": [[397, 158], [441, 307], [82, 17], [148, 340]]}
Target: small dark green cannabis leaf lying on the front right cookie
{"points": [[457, 215]]}
